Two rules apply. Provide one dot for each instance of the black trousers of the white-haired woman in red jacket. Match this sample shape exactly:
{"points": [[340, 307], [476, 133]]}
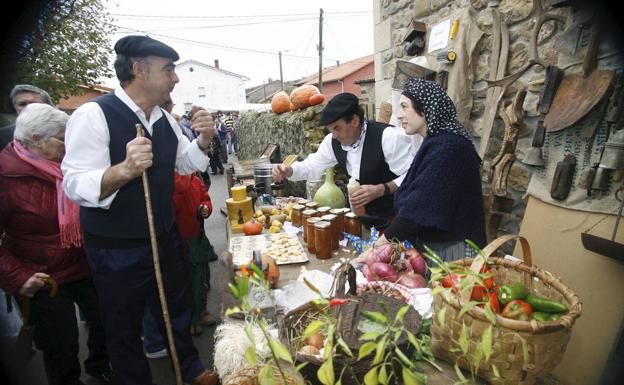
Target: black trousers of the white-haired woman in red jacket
{"points": [[56, 332]]}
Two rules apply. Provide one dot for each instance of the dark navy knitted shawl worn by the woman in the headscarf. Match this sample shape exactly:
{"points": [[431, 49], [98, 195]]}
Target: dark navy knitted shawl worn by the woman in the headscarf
{"points": [[440, 199]]}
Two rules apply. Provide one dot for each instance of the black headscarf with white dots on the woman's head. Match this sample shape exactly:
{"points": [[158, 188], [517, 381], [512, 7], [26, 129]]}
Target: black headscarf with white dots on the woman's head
{"points": [[440, 113]]}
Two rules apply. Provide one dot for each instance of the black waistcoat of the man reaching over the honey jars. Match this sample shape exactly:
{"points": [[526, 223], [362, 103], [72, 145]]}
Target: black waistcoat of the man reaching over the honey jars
{"points": [[373, 167]]}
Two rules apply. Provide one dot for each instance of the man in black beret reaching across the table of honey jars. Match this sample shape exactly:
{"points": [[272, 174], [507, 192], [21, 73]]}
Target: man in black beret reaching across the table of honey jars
{"points": [[375, 154]]}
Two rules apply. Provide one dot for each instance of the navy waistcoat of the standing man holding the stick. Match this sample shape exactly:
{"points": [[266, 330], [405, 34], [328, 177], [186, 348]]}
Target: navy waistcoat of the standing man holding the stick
{"points": [[127, 216]]}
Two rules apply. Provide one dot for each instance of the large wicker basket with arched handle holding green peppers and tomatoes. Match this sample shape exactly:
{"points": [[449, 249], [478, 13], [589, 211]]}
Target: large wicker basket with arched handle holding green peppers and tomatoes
{"points": [[546, 341]]}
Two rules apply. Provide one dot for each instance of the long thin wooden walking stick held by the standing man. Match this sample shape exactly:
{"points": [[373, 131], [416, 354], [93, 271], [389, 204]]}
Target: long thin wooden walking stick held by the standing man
{"points": [[159, 282]]}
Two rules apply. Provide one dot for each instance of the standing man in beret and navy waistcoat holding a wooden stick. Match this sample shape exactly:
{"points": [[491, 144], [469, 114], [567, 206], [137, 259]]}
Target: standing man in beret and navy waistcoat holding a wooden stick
{"points": [[102, 171]]}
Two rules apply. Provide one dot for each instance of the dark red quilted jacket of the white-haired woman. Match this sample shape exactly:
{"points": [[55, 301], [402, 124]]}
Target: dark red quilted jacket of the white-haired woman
{"points": [[28, 217]]}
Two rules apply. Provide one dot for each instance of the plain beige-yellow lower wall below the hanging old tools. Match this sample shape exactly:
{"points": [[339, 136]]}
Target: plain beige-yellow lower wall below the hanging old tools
{"points": [[554, 234]]}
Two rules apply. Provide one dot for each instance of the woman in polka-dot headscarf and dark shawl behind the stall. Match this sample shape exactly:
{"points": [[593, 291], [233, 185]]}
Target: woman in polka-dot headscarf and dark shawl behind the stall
{"points": [[440, 203]]}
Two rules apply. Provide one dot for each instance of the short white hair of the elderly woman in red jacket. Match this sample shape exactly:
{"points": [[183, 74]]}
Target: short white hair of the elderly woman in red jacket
{"points": [[41, 119]]}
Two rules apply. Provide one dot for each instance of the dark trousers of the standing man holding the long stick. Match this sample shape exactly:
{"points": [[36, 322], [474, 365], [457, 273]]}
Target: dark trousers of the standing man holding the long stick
{"points": [[126, 284]]}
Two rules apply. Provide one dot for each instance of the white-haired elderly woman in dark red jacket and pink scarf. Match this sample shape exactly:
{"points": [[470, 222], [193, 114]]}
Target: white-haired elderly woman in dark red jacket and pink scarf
{"points": [[42, 239]]}
